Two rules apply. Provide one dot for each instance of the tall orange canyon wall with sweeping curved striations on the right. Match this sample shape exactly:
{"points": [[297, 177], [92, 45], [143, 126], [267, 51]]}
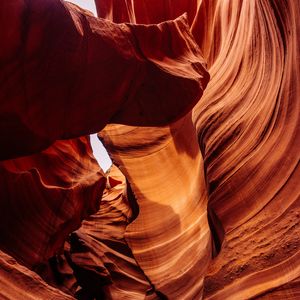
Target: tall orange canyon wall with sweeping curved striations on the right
{"points": [[248, 124]]}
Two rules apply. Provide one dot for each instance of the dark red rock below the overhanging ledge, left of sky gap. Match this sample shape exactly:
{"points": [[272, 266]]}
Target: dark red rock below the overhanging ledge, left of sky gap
{"points": [[44, 197]]}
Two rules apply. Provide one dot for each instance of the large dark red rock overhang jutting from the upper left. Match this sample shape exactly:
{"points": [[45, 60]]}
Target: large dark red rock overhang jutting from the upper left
{"points": [[65, 74]]}
